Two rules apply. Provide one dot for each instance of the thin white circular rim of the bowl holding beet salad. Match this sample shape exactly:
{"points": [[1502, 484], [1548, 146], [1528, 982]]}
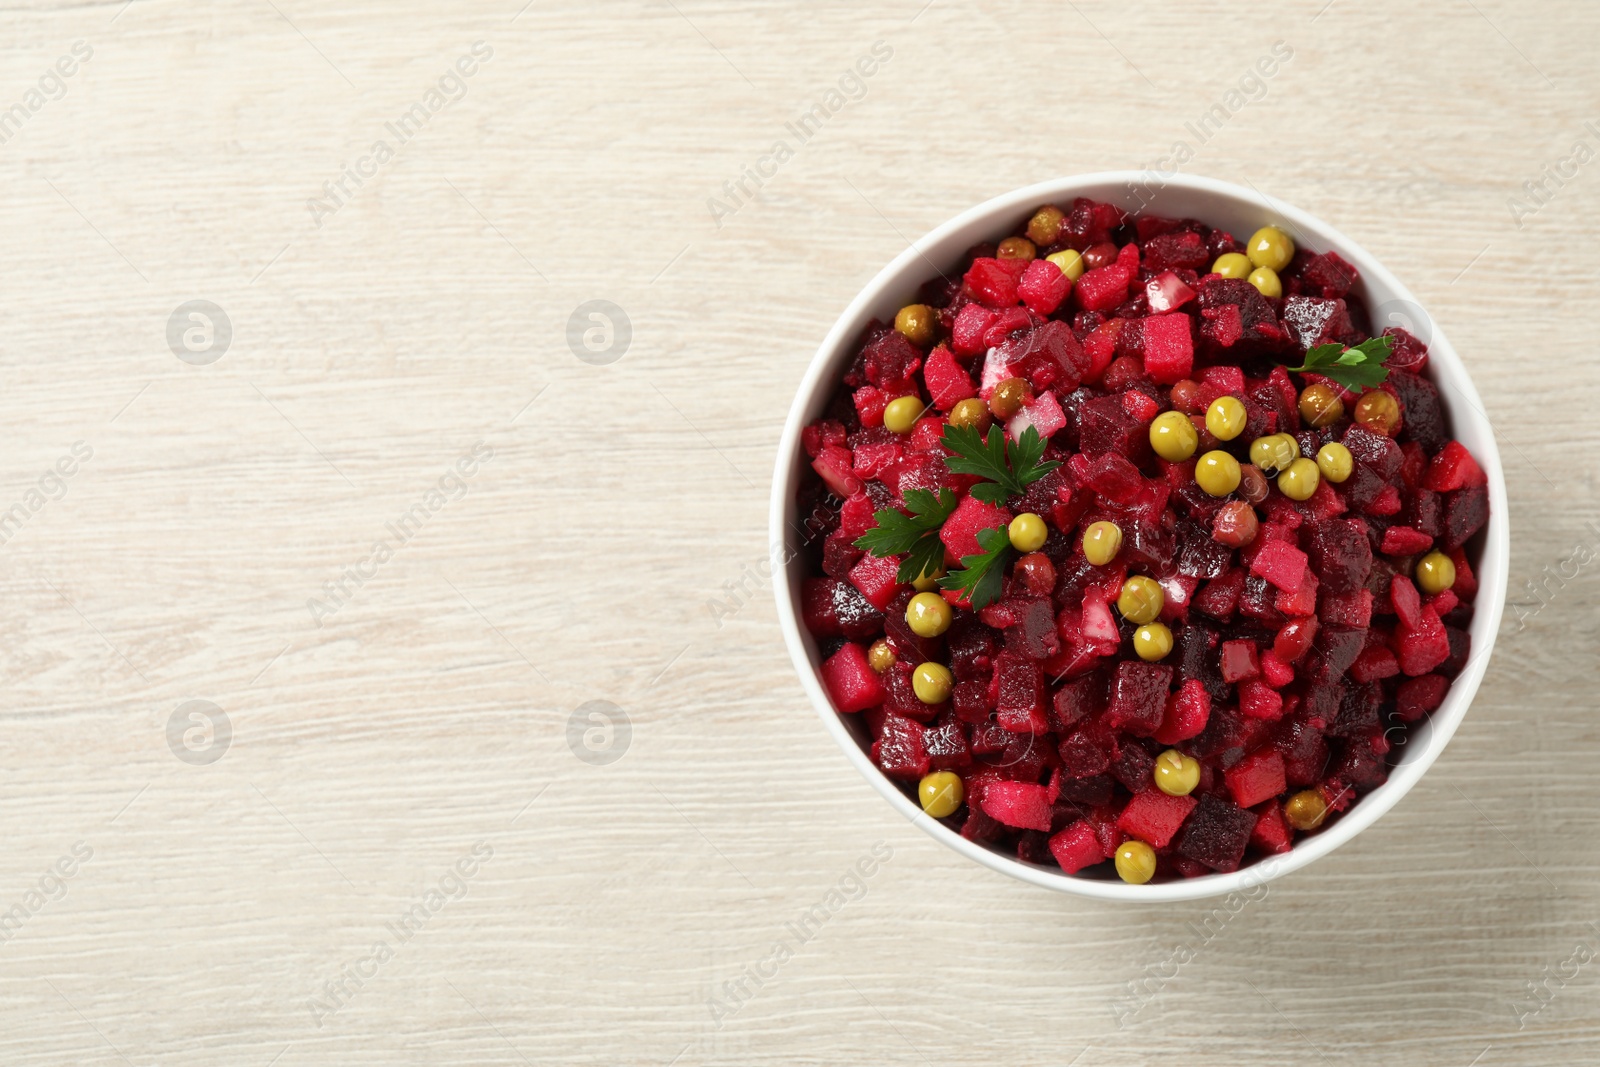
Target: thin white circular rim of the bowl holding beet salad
{"points": [[900, 273]]}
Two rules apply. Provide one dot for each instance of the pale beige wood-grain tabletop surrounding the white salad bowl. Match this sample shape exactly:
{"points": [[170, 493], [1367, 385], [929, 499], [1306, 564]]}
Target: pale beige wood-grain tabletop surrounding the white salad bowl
{"points": [[378, 746]]}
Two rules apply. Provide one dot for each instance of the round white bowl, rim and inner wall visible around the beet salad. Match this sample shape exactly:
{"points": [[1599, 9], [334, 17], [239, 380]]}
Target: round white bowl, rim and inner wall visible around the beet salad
{"points": [[1241, 212]]}
